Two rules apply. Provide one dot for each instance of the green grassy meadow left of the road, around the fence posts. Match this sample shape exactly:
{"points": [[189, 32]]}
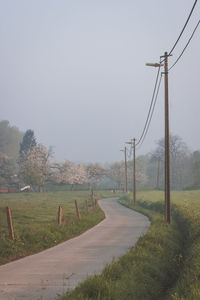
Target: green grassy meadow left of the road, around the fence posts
{"points": [[35, 220]]}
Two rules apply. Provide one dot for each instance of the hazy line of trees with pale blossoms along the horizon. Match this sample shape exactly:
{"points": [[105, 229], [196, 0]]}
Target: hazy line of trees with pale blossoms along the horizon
{"points": [[25, 162]]}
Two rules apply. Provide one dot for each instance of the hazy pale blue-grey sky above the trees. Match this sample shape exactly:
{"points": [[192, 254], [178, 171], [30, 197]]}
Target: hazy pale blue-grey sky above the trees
{"points": [[74, 72]]}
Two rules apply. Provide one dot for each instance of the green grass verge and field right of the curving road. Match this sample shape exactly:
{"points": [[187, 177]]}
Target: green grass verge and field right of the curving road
{"points": [[165, 263]]}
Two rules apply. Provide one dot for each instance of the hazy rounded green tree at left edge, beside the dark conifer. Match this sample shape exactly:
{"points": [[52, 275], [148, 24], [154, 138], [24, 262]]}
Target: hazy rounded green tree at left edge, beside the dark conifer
{"points": [[10, 139]]}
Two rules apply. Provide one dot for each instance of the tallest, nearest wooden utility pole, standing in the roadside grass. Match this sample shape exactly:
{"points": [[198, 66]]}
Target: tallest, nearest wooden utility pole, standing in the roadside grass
{"points": [[167, 146]]}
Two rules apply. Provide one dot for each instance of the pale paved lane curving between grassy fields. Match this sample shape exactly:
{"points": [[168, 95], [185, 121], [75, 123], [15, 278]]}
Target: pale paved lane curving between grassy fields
{"points": [[53, 271]]}
